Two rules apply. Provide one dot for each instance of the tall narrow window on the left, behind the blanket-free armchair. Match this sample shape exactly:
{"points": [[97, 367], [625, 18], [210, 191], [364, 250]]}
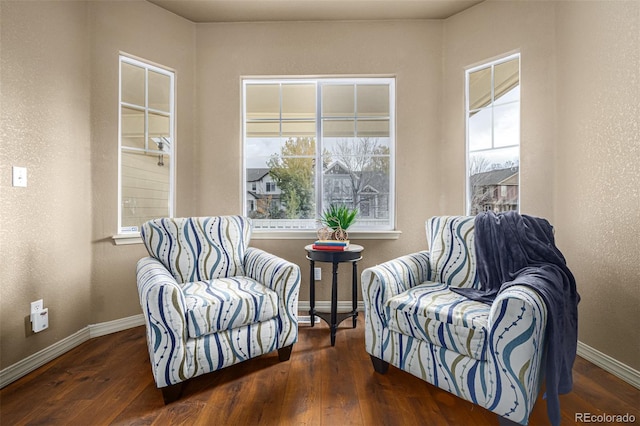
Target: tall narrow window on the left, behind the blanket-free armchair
{"points": [[147, 143]]}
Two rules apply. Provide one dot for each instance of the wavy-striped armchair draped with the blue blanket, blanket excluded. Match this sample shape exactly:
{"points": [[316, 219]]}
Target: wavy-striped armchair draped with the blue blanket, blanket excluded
{"points": [[488, 354]]}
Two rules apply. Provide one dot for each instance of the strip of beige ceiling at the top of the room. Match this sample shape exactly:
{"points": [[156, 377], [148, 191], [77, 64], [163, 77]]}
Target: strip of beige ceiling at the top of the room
{"points": [[312, 10]]}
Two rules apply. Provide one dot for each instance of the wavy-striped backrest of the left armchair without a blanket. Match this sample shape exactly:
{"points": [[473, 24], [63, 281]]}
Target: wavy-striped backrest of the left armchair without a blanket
{"points": [[199, 248]]}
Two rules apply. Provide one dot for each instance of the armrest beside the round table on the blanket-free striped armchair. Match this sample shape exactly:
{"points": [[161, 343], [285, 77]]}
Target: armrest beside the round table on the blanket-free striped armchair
{"points": [[283, 277]]}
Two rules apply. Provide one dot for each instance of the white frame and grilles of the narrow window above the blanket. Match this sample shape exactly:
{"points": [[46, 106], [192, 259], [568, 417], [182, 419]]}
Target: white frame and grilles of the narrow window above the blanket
{"points": [[490, 64]]}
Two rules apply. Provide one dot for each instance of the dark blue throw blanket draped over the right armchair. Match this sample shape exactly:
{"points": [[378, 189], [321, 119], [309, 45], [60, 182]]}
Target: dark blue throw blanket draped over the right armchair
{"points": [[514, 249]]}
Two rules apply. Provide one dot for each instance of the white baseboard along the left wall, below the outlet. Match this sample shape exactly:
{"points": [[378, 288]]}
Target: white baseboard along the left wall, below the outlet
{"points": [[40, 358]]}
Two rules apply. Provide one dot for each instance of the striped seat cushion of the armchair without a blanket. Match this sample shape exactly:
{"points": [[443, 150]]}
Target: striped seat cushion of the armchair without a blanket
{"points": [[227, 303]]}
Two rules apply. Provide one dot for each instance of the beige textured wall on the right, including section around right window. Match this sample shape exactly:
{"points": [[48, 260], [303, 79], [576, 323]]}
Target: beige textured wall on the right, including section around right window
{"points": [[580, 147]]}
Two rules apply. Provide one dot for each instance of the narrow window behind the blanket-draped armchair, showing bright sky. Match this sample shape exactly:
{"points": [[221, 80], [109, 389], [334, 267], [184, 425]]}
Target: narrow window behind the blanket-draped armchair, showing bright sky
{"points": [[493, 136]]}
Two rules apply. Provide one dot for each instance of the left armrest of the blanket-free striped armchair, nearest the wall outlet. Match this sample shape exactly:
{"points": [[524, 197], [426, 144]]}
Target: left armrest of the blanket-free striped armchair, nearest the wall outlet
{"points": [[163, 306]]}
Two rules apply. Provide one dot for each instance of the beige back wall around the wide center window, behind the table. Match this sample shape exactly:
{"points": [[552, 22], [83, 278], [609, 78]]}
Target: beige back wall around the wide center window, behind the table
{"points": [[411, 51]]}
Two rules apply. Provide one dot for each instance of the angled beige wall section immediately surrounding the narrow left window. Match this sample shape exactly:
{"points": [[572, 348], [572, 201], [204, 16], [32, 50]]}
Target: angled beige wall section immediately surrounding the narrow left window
{"points": [[140, 29]]}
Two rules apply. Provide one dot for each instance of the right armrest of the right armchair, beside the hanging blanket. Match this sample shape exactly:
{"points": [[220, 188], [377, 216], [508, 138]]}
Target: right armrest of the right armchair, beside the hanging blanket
{"points": [[516, 324]]}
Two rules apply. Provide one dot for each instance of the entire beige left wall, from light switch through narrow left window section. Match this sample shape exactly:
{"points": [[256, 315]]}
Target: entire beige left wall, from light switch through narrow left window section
{"points": [[59, 82]]}
